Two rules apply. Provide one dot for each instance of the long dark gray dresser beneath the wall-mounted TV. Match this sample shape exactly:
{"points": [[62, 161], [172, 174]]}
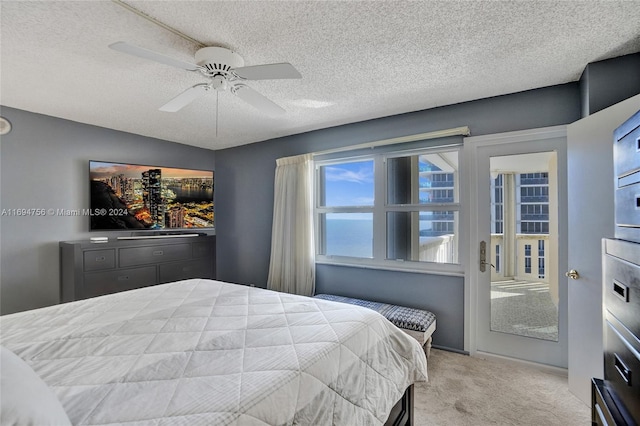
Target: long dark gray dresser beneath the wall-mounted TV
{"points": [[89, 269]]}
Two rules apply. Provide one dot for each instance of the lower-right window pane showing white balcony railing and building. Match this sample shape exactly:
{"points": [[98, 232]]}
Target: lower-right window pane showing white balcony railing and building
{"points": [[422, 236]]}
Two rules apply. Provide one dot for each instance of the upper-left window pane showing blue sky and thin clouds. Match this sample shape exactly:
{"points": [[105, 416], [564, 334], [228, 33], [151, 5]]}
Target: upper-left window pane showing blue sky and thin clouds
{"points": [[347, 184]]}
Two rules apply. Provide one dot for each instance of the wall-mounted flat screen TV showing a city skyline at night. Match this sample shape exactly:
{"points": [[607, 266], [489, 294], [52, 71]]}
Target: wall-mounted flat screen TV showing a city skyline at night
{"points": [[138, 198]]}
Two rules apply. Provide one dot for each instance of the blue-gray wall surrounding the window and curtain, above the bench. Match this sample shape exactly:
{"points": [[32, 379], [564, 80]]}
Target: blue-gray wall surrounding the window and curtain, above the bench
{"points": [[244, 199]]}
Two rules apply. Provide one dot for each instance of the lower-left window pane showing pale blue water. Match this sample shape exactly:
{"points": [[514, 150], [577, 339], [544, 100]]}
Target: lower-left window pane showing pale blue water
{"points": [[348, 234]]}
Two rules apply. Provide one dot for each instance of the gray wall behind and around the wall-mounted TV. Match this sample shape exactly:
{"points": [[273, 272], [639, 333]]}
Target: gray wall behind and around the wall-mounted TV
{"points": [[44, 164]]}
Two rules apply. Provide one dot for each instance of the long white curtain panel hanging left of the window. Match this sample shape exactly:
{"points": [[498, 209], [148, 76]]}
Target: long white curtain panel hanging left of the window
{"points": [[292, 266]]}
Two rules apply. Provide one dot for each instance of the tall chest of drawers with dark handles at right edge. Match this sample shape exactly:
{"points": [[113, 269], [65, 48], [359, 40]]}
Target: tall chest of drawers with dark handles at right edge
{"points": [[616, 399]]}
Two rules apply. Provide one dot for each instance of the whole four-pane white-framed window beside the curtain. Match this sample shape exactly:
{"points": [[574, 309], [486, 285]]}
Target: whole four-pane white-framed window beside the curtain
{"points": [[394, 209]]}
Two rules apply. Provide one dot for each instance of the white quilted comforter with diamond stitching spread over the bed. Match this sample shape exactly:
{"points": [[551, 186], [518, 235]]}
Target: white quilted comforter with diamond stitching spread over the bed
{"points": [[203, 352]]}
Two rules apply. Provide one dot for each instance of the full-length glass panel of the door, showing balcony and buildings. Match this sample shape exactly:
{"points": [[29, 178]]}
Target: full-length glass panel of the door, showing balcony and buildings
{"points": [[523, 294]]}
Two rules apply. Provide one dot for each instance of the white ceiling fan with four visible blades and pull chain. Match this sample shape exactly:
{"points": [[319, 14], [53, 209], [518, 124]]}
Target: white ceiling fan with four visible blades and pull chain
{"points": [[224, 69]]}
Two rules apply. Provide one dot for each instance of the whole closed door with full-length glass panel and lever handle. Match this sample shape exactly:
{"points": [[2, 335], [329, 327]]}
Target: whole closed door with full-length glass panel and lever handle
{"points": [[521, 237]]}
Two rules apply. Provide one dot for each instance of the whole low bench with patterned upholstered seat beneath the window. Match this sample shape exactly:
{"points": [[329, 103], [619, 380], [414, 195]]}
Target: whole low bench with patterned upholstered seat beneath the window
{"points": [[417, 323]]}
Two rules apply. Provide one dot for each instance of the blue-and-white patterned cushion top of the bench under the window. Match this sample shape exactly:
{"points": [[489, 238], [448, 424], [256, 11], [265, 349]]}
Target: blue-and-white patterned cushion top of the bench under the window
{"points": [[400, 316]]}
